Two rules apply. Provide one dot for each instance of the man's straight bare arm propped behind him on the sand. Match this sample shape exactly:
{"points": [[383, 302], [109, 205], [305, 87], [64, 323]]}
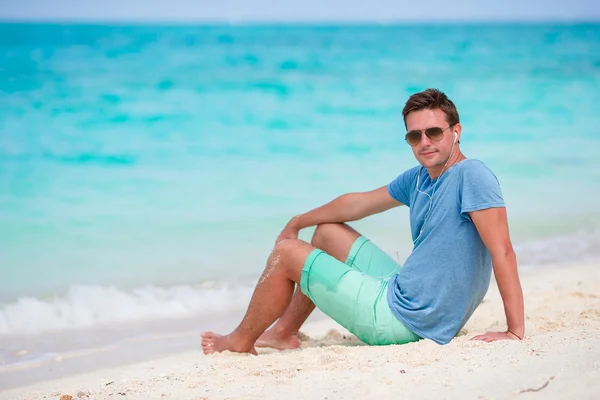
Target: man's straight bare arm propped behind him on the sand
{"points": [[492, 226]]}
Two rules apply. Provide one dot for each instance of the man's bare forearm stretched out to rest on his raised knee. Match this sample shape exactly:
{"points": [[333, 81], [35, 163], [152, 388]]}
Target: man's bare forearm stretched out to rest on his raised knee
{"points": [[346, 208]]}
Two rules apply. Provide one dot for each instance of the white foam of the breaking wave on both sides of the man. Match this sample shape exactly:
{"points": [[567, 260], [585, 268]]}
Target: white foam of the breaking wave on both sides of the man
{"points": [[93, 305]]}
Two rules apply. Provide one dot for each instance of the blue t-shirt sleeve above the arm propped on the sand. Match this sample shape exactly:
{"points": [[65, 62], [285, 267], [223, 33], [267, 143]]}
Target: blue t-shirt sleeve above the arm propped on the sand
{"points": [[480, 188]]}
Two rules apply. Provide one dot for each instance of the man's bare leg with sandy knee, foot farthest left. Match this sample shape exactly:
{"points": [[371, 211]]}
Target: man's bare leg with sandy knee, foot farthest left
{"points": [[271, 297]]}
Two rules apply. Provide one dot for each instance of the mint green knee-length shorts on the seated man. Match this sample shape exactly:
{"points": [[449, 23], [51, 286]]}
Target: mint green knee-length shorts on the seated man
{"points": [[354, 294]]}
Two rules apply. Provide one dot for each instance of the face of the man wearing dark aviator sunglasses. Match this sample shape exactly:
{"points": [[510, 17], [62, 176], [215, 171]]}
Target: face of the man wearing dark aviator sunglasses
{"points": [[429, 153]]}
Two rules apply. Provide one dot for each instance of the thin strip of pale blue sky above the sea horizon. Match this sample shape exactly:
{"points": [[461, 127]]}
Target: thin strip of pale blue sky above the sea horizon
{"points": [[300, 10]]}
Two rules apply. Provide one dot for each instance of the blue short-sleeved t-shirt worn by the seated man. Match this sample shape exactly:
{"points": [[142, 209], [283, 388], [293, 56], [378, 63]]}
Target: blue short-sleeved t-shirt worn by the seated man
{"points": [[448, 272]]}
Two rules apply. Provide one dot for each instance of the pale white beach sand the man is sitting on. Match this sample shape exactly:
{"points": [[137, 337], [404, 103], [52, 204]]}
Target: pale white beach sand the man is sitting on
{"points": [[559, 359]]}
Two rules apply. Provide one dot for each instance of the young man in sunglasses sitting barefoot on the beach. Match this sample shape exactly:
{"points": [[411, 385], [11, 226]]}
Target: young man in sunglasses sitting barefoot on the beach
{"points": [[459, 229]]}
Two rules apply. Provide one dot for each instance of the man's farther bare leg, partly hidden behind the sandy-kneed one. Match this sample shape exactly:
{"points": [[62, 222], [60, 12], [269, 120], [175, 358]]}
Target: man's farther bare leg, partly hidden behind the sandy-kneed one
{"points": [[334, 239]]}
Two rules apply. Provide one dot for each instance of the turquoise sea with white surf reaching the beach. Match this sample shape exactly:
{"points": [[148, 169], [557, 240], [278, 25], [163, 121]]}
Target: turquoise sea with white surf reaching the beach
{"points": [[145, 171]]}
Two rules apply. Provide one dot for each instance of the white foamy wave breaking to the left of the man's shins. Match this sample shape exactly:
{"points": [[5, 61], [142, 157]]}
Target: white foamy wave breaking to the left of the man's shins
{"points": [[89, 306]]}
